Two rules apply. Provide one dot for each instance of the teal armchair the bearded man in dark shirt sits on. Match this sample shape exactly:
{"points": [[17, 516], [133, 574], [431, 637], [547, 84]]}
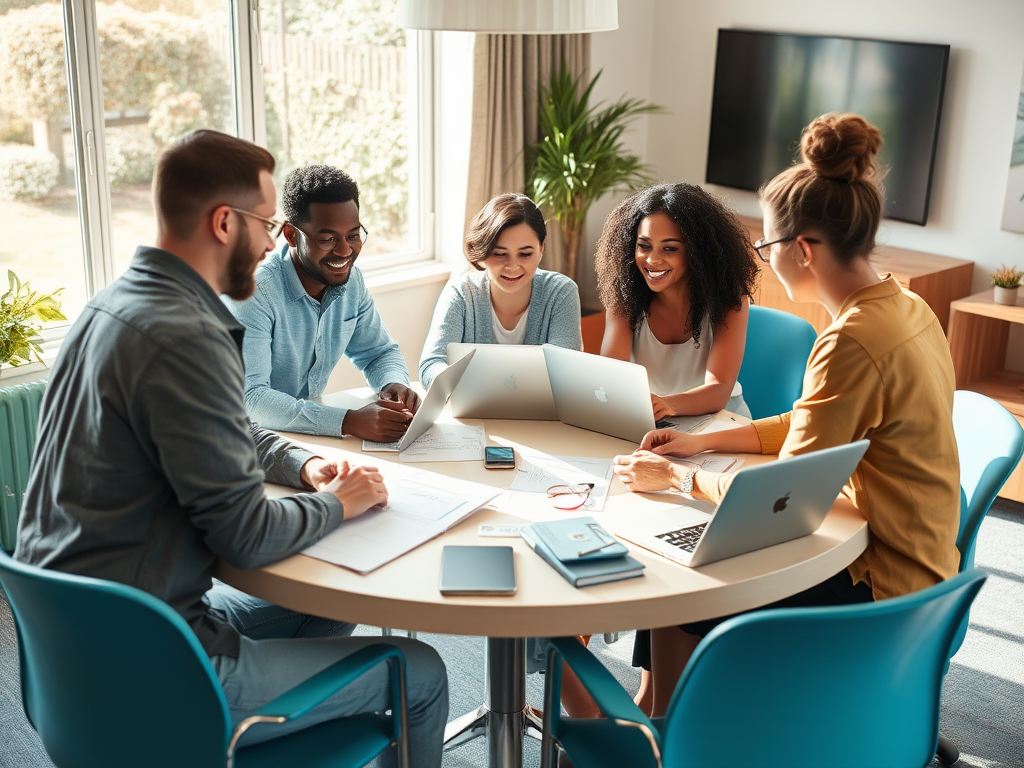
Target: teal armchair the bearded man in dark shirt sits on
{"points": [[113, 677]]}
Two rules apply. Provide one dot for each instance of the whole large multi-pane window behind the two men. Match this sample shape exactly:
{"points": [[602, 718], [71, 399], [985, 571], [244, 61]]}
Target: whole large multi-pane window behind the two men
{"points": [[316, 81]]}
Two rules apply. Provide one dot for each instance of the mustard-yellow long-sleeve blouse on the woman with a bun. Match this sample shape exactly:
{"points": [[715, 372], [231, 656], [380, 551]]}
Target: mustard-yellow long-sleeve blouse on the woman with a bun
{"points": [[882, 371]]}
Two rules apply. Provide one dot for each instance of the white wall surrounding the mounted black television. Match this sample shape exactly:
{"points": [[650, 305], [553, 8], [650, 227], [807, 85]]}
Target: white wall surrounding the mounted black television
{"points": [[665, 51]]}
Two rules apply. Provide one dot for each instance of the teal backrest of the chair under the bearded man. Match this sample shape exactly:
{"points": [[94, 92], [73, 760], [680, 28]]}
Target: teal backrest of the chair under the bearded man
{"points": [[111, 676]]}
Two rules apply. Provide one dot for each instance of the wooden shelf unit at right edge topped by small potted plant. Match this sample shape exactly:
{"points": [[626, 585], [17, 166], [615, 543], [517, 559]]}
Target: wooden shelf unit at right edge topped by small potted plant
{"points": [[978, 332]]}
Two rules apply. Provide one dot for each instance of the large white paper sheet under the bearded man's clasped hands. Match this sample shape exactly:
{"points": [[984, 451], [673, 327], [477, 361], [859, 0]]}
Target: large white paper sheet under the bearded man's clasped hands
{"points": [[421, 505]]}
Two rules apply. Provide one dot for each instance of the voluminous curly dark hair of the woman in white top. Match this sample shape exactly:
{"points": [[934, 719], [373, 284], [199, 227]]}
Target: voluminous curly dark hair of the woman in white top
{"points": [[719, 255]]}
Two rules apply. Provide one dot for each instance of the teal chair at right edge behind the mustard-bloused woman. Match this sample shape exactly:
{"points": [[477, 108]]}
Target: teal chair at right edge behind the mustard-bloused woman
{"points": [[990, 442]]}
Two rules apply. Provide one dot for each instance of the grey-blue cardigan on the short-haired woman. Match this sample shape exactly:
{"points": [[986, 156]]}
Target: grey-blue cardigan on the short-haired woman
{"points": [[463, 315]]}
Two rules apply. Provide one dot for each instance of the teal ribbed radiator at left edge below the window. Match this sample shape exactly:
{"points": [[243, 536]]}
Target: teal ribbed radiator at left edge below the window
{"points": [[19, 422]]}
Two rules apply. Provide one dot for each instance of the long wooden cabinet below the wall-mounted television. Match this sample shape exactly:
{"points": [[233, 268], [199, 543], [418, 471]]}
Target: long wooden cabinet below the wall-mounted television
{"points": [[938, 280]]}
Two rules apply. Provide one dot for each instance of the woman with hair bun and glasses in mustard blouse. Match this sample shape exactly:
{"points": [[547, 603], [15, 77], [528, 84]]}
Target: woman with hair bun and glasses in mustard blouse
{"points": [[881, 371]]}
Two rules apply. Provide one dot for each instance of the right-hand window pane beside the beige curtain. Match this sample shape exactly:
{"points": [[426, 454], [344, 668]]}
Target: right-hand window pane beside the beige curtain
{"points": [[342, 88]]}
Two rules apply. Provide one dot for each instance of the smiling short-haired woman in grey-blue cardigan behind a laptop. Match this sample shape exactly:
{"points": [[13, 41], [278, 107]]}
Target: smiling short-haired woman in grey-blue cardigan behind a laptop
{"points": [[508, 301]]}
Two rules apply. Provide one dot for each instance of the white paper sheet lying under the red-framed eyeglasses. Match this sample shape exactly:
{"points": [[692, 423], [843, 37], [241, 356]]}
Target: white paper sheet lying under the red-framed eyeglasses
{"points": [[528, 496]]}
